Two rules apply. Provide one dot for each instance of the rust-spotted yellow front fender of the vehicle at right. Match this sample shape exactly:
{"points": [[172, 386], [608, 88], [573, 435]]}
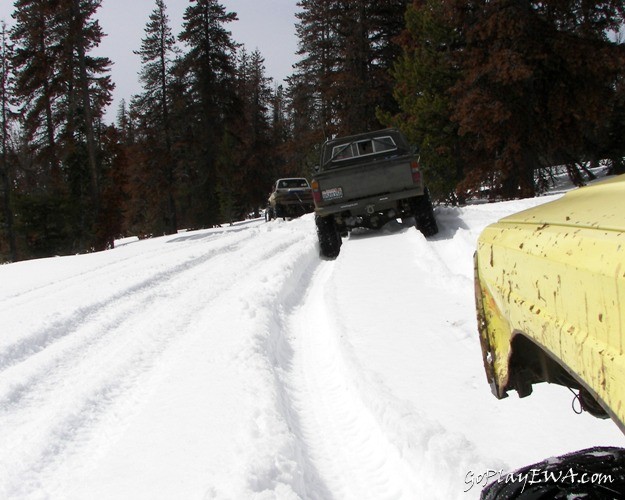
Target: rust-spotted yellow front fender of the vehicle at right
{"points": [[550, 297]]}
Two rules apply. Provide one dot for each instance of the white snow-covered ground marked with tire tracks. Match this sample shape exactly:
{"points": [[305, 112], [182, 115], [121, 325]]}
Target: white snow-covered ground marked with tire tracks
{"points": [[234, 363]]}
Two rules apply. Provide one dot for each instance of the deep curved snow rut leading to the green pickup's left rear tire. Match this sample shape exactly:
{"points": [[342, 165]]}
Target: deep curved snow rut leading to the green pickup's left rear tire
{"points": [[341, 435]]}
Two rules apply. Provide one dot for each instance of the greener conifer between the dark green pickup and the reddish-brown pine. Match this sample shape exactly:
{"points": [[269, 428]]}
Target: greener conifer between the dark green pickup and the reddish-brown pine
{"points": [[424, 74]]}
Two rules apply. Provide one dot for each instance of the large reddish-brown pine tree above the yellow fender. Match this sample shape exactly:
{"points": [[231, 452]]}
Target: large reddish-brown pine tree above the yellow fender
{"points": [[538, 81]]}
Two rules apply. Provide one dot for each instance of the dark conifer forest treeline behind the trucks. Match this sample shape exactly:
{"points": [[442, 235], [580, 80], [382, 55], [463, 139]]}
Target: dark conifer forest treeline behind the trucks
{"points": [[493, 92]]}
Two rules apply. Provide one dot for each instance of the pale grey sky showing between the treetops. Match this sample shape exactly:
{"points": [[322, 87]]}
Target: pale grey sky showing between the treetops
{"points": [[266, 25]]}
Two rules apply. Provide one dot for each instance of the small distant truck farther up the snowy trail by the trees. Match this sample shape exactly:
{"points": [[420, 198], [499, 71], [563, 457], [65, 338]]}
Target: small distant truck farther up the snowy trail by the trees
{"points": [[290, 197]]}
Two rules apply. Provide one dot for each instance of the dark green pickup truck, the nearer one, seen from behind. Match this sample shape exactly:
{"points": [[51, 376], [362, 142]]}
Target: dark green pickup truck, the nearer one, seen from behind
{"points": [[366, 180]]}
